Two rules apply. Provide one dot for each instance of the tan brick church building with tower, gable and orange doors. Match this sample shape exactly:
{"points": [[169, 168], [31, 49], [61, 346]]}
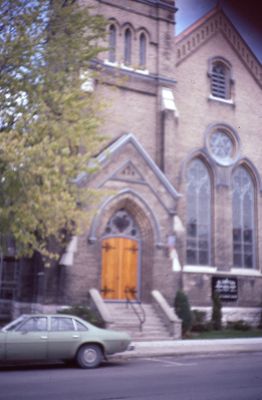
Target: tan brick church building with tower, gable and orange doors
{"points": [[181, 172]]}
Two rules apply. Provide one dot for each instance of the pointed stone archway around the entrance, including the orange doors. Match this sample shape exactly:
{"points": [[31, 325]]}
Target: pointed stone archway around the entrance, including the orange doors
{"points": [[139, 251]]}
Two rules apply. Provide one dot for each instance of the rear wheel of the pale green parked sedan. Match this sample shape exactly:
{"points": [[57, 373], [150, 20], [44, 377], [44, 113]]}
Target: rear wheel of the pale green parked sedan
{"points": [[89, 356]]}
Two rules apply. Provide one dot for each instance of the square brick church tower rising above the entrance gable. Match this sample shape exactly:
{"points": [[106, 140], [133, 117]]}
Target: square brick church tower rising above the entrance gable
{"points": [[140, 64]]}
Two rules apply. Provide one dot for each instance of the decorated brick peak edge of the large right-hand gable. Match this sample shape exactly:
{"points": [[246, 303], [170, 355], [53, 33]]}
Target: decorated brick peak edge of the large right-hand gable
{"points": [[188, 41]]}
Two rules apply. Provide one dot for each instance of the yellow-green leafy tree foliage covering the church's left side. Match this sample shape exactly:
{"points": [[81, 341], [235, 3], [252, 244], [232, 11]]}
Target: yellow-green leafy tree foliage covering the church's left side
{"points": [[48, 124]]}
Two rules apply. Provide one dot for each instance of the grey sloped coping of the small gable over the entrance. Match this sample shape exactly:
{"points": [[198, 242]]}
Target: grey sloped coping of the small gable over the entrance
{"points": [[119, 145]]}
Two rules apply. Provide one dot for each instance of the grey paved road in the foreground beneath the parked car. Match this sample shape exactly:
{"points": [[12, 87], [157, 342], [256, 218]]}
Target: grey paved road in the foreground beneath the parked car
{"points": [[216, 377]]}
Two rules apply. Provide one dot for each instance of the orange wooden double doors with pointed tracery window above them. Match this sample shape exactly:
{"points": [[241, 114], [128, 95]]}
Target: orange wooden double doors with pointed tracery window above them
{"points": [[120, 257]]}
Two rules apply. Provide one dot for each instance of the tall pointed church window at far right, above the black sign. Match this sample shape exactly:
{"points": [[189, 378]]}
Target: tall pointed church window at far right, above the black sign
{"points": [[243, 219]]}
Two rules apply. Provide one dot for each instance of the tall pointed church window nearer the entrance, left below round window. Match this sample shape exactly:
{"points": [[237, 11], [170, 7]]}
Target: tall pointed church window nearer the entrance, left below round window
{"points": [[198, 196]]}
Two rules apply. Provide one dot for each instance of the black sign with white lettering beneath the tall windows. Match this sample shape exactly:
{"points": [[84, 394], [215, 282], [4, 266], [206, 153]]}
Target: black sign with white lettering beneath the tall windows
{"points": [[227, 288]]}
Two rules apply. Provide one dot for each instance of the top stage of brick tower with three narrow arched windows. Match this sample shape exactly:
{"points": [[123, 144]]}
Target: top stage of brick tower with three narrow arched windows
{"points": [[137, 27]]}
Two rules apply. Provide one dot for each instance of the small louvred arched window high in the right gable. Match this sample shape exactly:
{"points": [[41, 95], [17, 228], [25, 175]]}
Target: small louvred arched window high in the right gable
{"points": [[220, 80]]}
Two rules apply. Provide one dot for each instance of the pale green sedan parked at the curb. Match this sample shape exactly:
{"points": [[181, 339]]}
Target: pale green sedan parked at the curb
{"points": [[59, 337]]}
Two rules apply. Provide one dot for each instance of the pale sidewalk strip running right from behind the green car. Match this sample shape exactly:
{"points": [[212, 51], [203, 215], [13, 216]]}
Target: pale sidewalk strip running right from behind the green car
{"points": [[174, 347]]}
